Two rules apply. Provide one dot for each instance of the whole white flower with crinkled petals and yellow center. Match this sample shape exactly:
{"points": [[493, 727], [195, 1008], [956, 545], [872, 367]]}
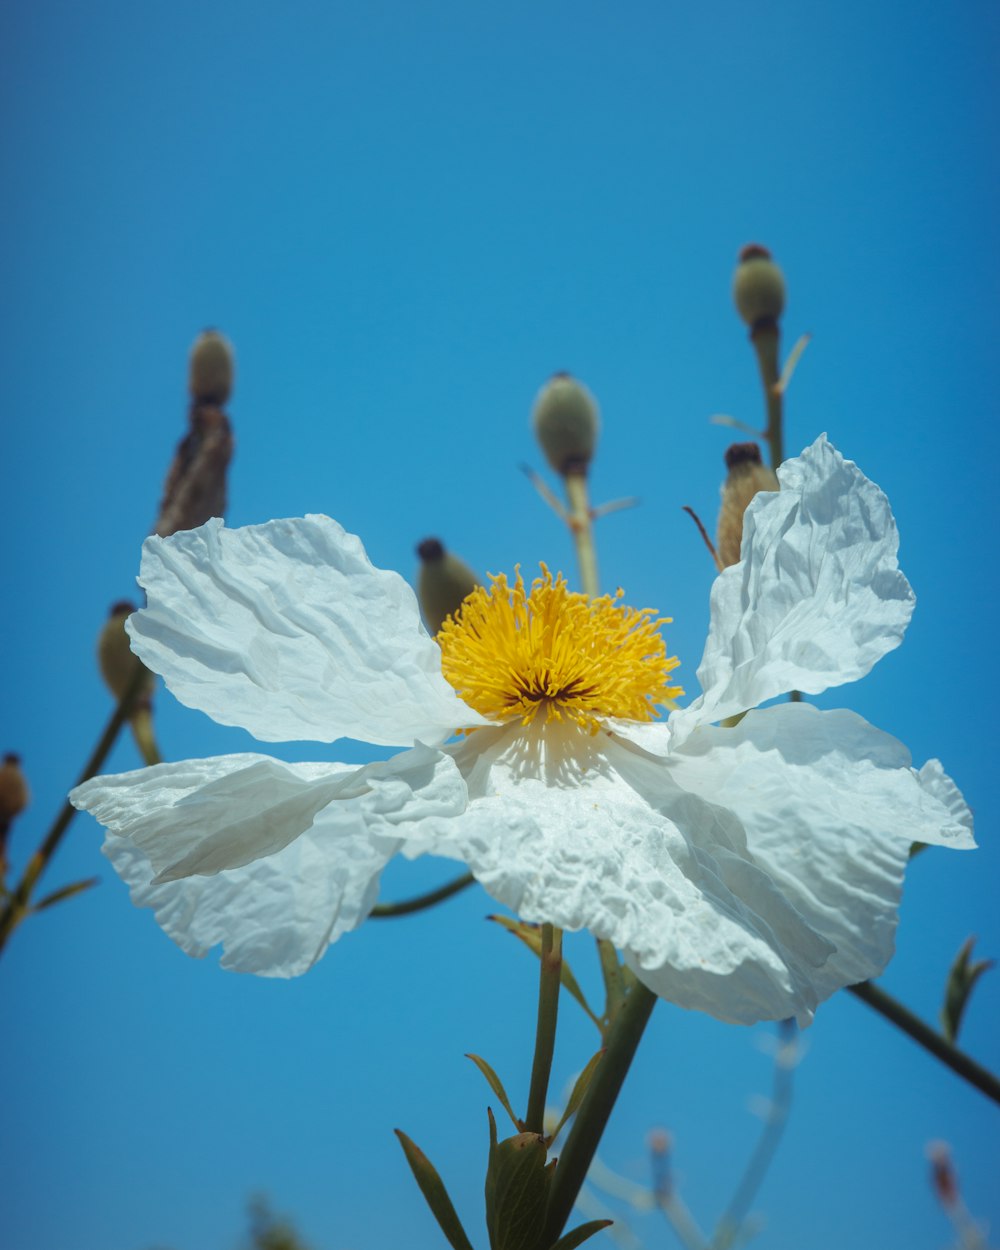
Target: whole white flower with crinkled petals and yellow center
{"points": [[746, 872]]}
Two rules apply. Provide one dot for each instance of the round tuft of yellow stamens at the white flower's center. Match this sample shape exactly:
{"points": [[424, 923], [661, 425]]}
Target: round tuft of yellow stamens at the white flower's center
{"points": [[516, 654]]}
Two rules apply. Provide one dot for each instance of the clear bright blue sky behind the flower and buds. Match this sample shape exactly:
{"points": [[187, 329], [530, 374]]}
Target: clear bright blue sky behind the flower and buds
{"points": [[407, 217]]}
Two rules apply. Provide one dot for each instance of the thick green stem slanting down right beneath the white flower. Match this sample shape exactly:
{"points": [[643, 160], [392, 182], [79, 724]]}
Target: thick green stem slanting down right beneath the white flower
{"points": [[592, 1119]]}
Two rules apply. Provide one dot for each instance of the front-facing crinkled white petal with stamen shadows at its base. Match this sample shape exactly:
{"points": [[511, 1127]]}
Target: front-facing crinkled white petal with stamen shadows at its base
{"points": [[591, 833]]}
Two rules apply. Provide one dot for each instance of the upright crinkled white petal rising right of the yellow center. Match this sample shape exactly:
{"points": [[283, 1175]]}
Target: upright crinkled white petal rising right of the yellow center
{"points": [[818, 597]]}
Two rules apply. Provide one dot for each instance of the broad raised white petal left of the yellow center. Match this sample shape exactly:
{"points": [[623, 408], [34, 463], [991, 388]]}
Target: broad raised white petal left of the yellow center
{"points": [[289, 632]]}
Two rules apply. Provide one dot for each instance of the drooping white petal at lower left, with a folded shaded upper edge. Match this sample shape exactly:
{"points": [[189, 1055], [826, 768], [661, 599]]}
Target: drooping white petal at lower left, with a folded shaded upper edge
{"points": [[274, 914]]}
